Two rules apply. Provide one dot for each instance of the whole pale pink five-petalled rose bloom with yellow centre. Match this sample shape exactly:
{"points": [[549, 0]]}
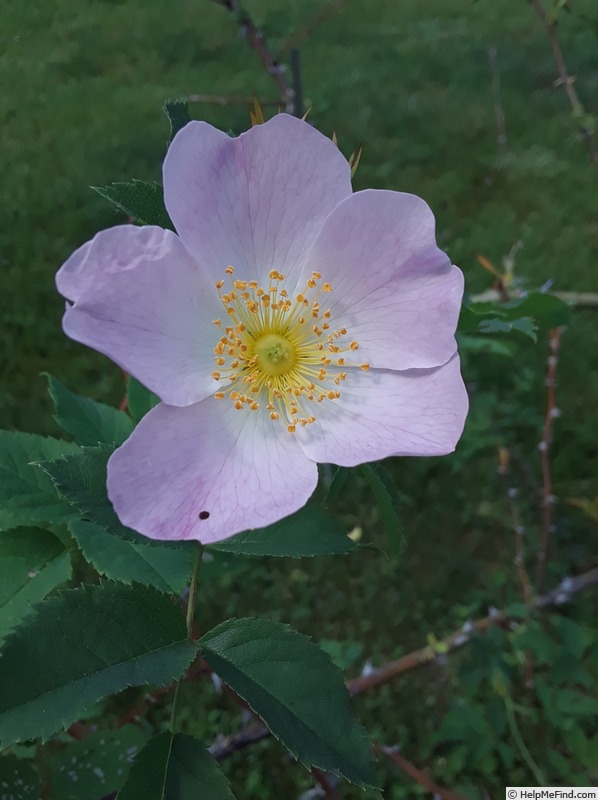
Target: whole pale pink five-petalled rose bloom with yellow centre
{"points": [[289, 321]]}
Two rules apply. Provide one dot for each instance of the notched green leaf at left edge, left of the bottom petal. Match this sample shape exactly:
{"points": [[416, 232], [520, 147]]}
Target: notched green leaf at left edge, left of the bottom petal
{"points": [[27, 495]]}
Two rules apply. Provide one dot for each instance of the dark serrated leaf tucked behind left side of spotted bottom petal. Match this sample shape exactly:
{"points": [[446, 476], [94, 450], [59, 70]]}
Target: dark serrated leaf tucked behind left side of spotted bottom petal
{"points": [[81, 479]]}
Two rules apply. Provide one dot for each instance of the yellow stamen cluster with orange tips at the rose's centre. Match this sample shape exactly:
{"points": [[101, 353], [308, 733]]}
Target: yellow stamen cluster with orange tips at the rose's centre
{"points": [[276, 350]]}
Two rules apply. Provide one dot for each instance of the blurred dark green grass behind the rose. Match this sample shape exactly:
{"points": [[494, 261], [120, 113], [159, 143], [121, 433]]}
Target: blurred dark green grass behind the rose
{"points": [[83, 84]]}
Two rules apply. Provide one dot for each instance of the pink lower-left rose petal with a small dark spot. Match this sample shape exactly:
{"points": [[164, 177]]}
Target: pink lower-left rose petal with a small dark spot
{"points": [[207, 472]]}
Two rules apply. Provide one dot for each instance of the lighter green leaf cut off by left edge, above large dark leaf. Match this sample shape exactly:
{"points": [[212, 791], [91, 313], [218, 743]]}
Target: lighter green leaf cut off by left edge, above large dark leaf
{"points": [[32, 563]]}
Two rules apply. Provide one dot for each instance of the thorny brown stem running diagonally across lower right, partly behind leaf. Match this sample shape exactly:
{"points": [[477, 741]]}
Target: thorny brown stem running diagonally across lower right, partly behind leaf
{"points": [[567, 588]]}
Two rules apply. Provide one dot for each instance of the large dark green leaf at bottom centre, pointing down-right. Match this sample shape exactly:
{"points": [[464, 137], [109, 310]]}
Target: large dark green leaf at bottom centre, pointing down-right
{"points": [[296, 689]]}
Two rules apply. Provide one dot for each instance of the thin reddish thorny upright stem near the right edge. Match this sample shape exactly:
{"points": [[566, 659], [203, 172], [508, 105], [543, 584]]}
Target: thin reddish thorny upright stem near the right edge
{"points": [[544, 446]]}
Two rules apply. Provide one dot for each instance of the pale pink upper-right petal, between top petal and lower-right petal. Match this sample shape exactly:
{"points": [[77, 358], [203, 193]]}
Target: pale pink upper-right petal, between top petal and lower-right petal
{"points": [[393, 289]]}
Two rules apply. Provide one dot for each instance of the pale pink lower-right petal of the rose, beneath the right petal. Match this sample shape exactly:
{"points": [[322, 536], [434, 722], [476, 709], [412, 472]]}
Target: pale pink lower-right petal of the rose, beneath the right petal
{"points": [[383, 413]]}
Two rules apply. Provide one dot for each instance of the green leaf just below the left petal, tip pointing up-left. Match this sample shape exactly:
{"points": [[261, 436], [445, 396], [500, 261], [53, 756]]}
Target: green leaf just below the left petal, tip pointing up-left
{"points": [[87, 421]]}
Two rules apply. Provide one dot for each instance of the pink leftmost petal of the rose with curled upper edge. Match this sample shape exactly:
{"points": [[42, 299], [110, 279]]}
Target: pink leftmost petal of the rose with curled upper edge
{"points": [[142, 301]]}
